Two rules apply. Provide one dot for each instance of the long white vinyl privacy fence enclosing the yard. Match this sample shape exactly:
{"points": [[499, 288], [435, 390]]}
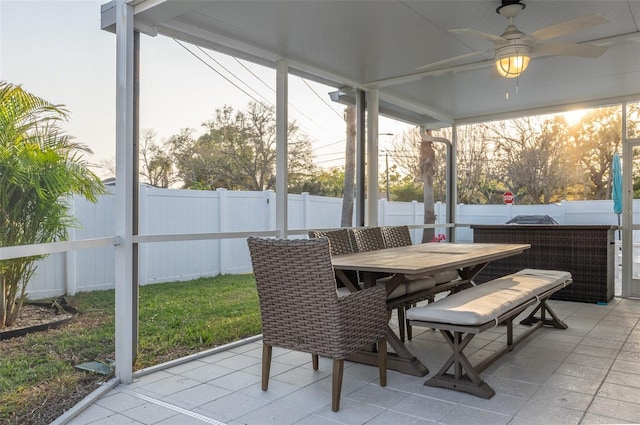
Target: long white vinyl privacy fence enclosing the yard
{"points": [[169, 211]]}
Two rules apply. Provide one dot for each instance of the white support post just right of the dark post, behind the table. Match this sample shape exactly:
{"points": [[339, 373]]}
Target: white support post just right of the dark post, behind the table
{"points": [[372, 158]]}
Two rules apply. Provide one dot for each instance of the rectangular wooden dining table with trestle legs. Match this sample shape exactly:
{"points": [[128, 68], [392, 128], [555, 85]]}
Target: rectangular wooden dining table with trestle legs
{"points": [[468, 259]]}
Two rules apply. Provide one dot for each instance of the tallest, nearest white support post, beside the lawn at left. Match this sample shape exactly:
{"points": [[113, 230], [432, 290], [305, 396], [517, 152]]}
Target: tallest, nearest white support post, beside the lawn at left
{"points": [[124, 322]]}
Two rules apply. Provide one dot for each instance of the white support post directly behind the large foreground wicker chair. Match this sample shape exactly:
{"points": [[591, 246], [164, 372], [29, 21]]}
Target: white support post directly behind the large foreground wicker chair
{"points": [[282, 122]]}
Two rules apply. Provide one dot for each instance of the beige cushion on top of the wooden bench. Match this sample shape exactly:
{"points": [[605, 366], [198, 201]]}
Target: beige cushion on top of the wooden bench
{"points": [[486, 302]]}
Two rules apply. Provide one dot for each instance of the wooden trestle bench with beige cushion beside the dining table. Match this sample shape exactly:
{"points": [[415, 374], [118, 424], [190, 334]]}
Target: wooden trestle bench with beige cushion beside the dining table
{"points": [[462, 315]]}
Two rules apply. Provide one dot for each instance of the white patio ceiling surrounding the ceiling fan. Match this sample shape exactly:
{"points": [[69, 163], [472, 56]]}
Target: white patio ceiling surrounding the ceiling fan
{"points": [[368, 44]]}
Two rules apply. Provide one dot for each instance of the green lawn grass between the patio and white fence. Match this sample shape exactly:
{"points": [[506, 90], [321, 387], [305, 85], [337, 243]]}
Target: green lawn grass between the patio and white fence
{"points": [[38, 378]]}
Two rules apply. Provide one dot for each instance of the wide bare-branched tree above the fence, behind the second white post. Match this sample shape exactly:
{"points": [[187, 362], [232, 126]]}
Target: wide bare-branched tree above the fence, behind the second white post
{"points": [[238, 151]]}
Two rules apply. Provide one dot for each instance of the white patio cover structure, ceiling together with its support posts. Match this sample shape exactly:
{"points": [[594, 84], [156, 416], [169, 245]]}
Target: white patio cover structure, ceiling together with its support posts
{"points": [[376, 48]]}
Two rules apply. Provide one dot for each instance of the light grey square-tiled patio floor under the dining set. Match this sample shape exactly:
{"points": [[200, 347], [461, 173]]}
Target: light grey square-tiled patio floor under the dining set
{"points": [[587, 374]]}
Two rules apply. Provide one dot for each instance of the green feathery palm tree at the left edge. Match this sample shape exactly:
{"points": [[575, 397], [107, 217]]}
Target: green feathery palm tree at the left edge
{"points": [[40, 168]]}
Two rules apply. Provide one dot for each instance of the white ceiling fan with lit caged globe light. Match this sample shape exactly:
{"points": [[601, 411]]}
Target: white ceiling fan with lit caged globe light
{"points": [[513, 49]]}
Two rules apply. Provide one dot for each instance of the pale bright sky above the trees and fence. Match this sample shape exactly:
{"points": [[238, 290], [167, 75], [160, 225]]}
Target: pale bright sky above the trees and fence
{"points": [[56, 50]]}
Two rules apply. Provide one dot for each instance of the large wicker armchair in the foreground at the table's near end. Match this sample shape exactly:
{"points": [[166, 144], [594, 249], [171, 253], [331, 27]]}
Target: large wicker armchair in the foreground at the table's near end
{"points": [[301, 310]]}
